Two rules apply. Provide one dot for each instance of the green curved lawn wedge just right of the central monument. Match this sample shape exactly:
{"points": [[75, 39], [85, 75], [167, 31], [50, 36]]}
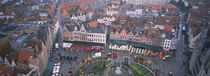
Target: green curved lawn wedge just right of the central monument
{"points": [[139, 71]]}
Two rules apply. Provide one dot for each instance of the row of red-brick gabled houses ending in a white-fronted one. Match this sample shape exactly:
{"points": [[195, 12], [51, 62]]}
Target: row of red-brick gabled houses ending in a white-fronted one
{"points": [[150, 36]]}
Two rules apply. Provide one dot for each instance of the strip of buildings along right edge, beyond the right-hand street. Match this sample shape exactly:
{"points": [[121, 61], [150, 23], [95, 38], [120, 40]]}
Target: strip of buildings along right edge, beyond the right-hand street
{"points": [[198, 32]]}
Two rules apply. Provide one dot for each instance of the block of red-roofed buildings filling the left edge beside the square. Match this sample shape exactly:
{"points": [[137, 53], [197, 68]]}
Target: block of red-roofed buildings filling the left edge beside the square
{"points": [[27, 35]]}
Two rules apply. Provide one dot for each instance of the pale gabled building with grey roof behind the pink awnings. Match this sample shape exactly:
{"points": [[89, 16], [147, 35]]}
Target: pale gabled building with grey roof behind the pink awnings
{"points": [[85, 33]]}
